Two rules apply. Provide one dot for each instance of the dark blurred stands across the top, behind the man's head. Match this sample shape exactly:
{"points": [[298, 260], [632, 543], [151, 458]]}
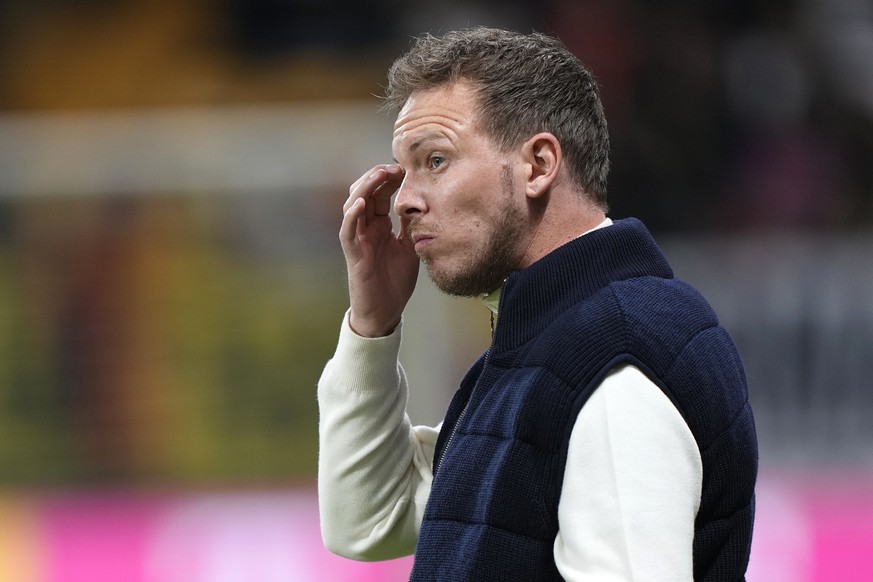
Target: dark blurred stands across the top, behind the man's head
{"points": [[724, 115]]}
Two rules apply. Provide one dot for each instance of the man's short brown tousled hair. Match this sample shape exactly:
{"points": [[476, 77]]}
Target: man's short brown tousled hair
{"points": [[525, 84]]}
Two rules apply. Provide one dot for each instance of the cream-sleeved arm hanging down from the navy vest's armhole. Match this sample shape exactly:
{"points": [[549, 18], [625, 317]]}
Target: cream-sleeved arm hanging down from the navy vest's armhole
{"points": [[631, 487]]}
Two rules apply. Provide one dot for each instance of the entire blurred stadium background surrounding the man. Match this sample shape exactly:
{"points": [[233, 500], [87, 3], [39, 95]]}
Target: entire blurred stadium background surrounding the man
{"points": [[171, 178]]}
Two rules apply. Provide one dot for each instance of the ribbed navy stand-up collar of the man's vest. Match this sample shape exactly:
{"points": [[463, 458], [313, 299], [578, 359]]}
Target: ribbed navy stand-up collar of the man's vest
{"points": [[532, 297]]}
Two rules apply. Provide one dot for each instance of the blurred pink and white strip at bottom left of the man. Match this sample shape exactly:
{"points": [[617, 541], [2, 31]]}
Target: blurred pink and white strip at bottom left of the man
{"points": [[210, 537]]}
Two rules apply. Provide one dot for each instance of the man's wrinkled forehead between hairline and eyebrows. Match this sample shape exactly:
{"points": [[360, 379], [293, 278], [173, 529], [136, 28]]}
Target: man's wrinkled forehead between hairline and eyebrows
{"points": [[445, 112]]}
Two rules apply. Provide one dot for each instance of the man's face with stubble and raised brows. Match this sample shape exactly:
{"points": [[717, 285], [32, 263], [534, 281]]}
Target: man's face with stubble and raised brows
{"points": [[458, 202]]}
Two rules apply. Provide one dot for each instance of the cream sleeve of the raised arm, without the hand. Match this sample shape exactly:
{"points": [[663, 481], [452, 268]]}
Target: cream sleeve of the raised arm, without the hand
{"points": [[374, 467]]}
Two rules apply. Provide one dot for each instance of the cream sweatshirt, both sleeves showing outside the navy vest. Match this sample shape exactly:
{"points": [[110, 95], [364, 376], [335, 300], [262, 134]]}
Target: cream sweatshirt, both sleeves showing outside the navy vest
{"points": [[631, 486]]}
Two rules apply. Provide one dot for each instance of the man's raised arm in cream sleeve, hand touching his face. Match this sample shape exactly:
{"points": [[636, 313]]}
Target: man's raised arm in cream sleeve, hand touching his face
{"points": [[374, 468]]}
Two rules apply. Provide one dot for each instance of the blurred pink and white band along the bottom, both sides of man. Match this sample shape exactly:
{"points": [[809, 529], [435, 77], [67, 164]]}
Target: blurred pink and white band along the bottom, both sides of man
{"points": [[808, 529]]}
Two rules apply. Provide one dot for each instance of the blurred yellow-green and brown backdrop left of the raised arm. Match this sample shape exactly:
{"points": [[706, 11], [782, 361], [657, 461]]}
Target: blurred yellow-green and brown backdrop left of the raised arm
{"points": [[157, 353]]}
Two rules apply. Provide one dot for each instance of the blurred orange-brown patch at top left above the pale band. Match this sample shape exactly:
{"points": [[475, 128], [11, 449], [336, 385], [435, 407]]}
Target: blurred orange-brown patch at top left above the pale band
{"points": [[137, 53]]}
